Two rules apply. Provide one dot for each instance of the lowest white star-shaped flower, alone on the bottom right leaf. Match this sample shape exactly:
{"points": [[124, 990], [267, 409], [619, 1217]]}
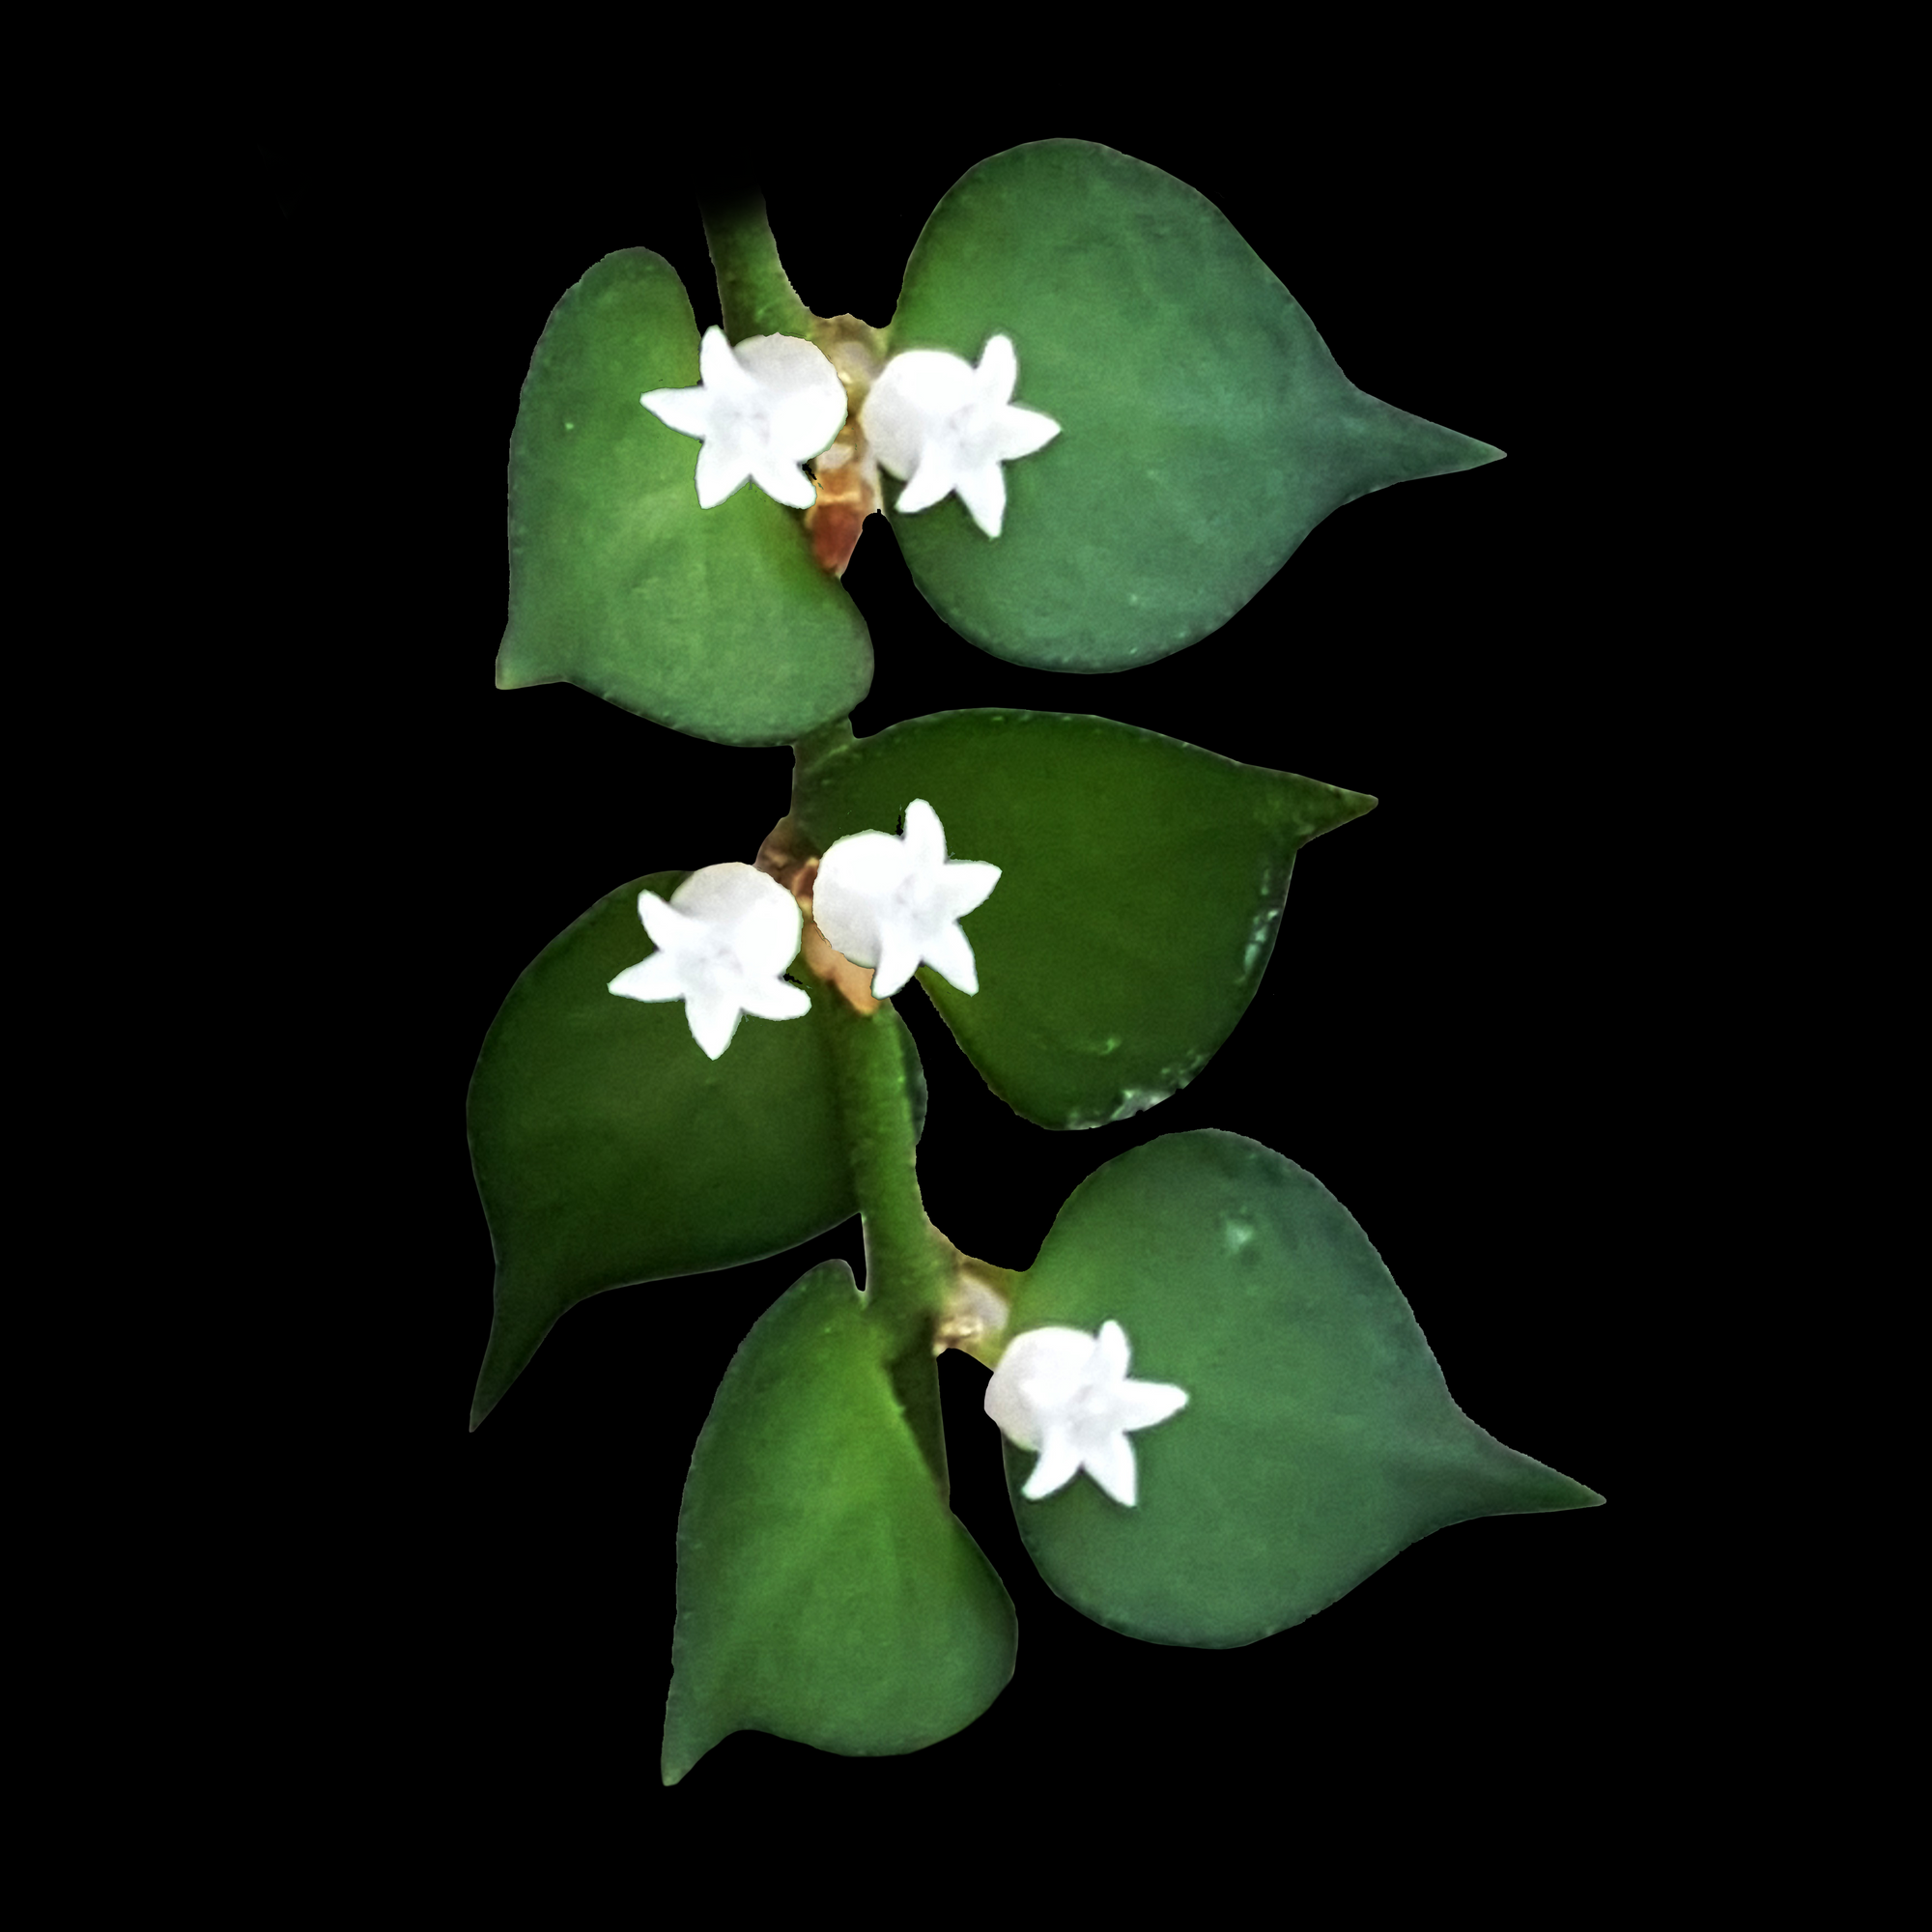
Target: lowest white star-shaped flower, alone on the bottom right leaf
{"points": [[1067, 1396]]}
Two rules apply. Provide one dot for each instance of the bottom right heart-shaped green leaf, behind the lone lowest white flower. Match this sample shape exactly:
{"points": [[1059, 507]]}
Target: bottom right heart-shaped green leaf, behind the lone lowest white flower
{"points": [[1319, 1436]]}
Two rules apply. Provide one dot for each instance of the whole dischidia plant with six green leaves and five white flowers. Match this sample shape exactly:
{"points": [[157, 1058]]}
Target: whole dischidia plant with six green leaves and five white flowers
{"points": [[1216, 1409]]}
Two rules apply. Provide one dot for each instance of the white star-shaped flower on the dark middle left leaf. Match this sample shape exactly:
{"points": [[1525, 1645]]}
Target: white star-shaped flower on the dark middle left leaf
{"points": [[722, 940]]}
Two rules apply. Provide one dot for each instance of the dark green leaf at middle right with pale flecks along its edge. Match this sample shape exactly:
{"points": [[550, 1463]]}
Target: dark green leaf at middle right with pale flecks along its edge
{"points": [[1141, 892]]}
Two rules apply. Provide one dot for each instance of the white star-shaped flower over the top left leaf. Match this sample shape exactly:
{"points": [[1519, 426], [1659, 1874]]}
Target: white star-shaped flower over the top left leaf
{"points": [[762, 411]]}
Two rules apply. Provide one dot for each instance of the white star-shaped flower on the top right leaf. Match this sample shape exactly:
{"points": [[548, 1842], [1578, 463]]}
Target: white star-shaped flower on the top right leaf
{"points": [[944, 426]]}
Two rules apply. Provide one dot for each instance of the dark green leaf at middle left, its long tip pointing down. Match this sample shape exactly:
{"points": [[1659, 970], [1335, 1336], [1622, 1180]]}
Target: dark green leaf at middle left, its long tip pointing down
{"points": [[610, 1149]]}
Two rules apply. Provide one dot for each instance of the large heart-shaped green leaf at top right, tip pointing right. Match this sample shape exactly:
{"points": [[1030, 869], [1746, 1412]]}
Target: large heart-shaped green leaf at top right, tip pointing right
{"points": [[1205, 426]]}
